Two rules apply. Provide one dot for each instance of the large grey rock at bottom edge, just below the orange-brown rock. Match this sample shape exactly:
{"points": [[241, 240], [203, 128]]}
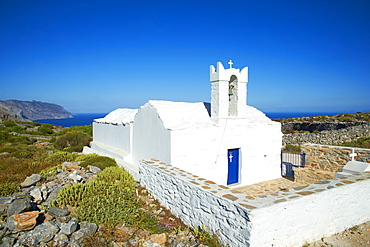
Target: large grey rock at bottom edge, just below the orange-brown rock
{"points": [[41, 234]]}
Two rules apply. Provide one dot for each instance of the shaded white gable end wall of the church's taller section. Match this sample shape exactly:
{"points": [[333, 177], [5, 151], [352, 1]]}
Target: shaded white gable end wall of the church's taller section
{"points": [[150, 138]]}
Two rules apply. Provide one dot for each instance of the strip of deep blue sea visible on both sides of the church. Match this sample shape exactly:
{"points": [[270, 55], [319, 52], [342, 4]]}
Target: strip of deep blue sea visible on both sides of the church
{"points": [[82, 119]]}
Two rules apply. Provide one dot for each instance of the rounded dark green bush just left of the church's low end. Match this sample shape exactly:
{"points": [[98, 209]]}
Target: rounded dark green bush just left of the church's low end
{"points": [[73, 141]]}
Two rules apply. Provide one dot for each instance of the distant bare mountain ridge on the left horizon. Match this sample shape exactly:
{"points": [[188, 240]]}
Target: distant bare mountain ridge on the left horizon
{"points": [[31, 110]]}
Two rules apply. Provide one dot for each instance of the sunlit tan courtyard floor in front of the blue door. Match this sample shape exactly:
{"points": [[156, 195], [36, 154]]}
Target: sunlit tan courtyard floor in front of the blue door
{"points": [[269, 187]]}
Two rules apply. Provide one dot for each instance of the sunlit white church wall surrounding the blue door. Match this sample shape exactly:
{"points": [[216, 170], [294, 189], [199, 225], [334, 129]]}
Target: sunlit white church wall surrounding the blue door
{"points": [[203, 151]]}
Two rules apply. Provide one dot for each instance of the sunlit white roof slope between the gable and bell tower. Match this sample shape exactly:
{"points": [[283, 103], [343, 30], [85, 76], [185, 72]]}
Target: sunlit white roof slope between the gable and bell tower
{"points": [[181, 115]]}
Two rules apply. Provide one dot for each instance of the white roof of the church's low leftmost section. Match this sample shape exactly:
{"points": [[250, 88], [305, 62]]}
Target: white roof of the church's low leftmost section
{"points": [[118, 116]]}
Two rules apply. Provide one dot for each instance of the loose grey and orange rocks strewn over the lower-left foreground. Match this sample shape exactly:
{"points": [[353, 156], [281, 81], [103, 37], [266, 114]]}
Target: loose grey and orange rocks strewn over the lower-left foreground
{"points": [[34, 222]]}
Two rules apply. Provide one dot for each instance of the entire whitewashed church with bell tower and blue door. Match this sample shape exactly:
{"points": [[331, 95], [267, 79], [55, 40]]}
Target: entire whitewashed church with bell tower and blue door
{"points": [[226, 141]]}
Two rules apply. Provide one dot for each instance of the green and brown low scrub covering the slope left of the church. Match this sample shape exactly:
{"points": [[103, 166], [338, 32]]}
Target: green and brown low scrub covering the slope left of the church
{"points": [[109, 200]]}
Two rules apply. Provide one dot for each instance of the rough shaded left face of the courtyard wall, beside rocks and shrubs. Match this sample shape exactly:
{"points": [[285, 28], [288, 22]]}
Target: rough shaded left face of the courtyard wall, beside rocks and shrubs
{"points": [[196, 206]]}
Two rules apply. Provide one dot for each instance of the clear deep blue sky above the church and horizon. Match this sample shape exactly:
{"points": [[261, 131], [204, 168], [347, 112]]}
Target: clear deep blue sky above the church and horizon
{"points": [[96, 56]]}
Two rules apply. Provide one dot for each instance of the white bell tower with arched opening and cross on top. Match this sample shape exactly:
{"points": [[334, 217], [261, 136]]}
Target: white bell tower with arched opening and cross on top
{"points": [[229, 91]]}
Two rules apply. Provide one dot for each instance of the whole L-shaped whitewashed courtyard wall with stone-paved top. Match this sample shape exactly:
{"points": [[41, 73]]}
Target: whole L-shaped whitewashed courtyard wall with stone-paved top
{"points": [[286, 218]]}
